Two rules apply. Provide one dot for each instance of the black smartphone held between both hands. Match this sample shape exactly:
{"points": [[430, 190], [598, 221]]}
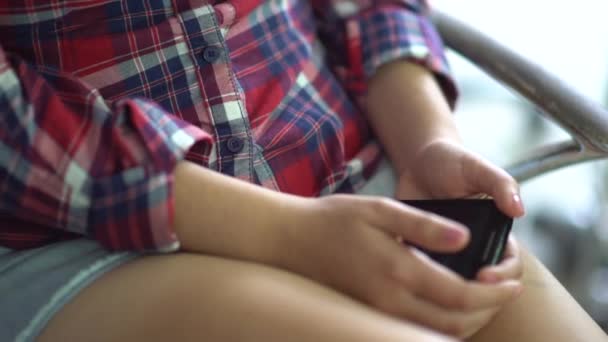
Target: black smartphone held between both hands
{"points": [[489, 230]]}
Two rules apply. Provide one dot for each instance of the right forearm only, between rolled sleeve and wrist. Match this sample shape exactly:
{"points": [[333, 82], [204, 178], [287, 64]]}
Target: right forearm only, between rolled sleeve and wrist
{"points": [[407, 110]]}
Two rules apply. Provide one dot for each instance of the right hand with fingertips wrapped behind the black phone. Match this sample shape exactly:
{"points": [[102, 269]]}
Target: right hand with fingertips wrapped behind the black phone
{"points": [[444, 169]]}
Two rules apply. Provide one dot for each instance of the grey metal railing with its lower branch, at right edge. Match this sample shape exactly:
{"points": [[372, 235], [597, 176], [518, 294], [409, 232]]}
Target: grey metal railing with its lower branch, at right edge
{"points": [[583, 119]]}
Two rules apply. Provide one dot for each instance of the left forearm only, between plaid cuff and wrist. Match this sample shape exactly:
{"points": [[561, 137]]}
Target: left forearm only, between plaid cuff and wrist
{"points": [[219, 215]]}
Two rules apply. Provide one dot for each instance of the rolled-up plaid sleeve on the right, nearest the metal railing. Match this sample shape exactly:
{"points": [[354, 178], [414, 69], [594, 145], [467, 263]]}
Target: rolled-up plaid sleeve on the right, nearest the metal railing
{"points": [[374, 33]]}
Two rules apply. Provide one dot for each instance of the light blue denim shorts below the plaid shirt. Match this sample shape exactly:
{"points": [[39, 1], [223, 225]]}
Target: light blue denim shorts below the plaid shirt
{"points": [[36, 283]]}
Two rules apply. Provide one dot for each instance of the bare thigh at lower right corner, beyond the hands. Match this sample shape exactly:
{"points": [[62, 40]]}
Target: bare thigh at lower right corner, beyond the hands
{"points": [[544, 312]]}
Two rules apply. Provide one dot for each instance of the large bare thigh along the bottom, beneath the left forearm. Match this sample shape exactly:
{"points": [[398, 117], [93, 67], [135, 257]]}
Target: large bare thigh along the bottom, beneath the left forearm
{"points": [[187, 297]]}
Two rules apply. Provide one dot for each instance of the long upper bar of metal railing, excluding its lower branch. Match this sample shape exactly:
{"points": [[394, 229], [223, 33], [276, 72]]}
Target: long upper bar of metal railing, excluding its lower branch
{"points": [[586, 121]]}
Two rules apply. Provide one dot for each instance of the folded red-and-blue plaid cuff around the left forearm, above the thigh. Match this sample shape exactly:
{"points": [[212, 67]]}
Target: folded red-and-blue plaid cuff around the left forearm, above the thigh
{"points": [[135, 208]]}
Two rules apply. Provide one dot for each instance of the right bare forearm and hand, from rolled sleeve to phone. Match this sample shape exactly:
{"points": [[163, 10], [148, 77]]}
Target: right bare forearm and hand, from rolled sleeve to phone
{"points": [[411, 118]]}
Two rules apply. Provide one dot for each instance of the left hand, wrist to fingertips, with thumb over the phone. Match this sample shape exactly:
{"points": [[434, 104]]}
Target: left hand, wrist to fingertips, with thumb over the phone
{"points": [[349, 243]]}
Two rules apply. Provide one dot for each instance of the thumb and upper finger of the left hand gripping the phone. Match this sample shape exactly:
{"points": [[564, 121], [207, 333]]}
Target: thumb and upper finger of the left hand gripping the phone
{"points": [[426, 278]]}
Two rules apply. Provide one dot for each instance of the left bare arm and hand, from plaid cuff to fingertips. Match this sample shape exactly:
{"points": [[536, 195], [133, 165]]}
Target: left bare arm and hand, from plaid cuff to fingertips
{"points": [[323, 238]]}
